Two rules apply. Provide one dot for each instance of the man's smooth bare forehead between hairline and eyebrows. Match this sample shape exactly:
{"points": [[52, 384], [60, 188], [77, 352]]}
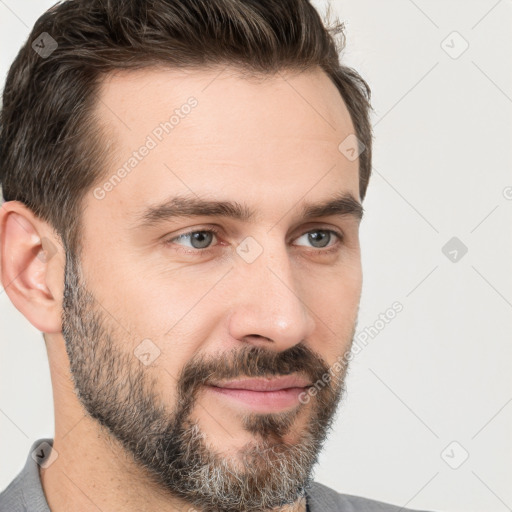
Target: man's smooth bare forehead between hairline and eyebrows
{"points": [[215, 133]]}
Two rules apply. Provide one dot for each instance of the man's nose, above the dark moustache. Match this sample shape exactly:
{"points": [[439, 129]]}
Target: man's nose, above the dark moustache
{"points": [[268, 308]]}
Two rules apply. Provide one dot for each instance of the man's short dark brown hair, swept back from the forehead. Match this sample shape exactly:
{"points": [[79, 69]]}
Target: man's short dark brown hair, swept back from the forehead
{"points": [[51, 148]]}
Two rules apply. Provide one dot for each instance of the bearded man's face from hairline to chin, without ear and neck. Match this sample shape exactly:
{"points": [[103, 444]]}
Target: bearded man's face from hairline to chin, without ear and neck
{"points": [[209, 260]]}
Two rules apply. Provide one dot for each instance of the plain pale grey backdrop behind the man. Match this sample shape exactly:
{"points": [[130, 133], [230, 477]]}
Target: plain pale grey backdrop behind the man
{"points": [[427, 418]]}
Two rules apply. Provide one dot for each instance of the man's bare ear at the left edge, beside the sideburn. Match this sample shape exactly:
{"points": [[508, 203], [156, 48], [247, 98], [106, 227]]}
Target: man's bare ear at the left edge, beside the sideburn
{"points": [[31, 266]]}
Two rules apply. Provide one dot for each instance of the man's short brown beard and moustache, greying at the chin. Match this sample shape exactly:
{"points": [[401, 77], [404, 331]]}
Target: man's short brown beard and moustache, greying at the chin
{"points": [[119, 392]]}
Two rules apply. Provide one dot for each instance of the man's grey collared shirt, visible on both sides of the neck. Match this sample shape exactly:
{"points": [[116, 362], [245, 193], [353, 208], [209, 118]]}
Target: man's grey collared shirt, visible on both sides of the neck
{"points": [[25, 494]]}
